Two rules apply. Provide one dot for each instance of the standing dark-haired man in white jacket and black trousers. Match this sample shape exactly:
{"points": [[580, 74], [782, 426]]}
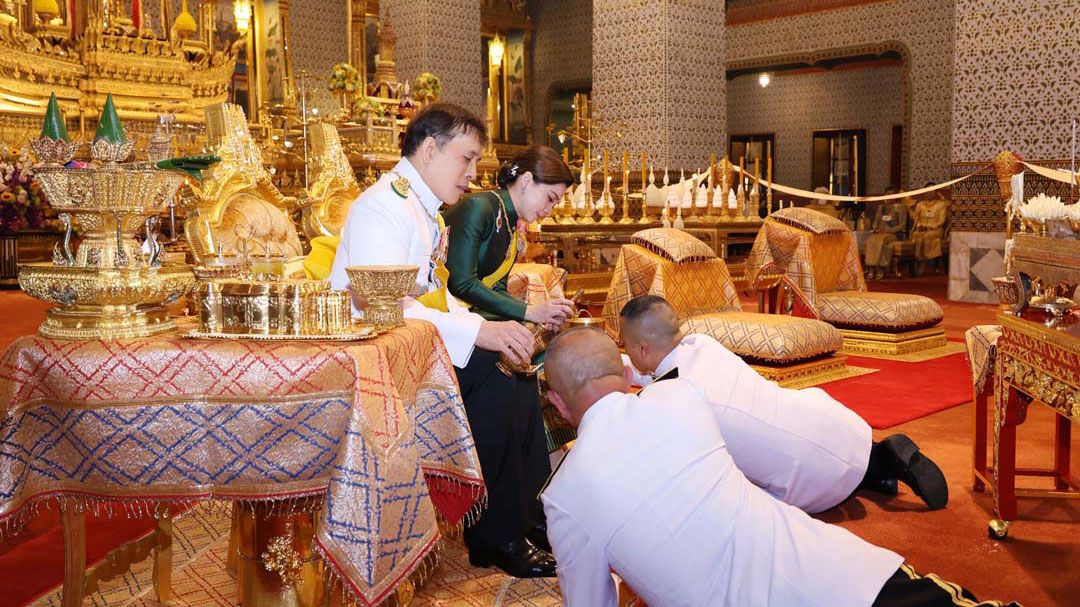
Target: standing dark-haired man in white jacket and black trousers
{"points": [[397, 222]]}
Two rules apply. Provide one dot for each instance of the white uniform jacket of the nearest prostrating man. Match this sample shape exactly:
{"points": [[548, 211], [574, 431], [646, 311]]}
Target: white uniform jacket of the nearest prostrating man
{"points": [[651, 492]]}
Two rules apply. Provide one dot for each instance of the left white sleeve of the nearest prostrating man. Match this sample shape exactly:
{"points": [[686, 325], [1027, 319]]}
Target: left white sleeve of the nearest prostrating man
{"points": [[585, 576]]}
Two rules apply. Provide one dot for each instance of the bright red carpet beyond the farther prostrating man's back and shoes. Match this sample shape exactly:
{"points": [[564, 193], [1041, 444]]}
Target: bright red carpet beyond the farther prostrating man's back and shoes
{"points": [[903, 392]]}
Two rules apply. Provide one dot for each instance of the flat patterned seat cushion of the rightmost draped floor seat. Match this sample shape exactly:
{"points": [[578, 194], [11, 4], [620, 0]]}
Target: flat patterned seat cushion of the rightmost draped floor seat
{"points": [[893, 313]]}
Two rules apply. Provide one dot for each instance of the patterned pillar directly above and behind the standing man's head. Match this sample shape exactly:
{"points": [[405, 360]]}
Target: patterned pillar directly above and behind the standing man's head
{"points": [[441, 37]]}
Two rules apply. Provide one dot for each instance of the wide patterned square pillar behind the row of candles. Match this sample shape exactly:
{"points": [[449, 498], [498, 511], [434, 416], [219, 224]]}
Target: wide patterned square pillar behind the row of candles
{"points": [[659, 68]]}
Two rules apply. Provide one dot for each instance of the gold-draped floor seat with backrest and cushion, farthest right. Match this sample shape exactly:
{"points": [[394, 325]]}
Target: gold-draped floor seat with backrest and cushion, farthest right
{"points": [[819, 261]]}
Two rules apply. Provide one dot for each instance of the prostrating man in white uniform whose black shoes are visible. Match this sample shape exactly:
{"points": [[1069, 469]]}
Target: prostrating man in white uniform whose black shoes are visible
{"points": [[802, 447]]}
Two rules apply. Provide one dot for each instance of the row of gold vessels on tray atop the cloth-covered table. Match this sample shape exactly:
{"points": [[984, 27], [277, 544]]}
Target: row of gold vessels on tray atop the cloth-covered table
{"points": [[286, 309]]}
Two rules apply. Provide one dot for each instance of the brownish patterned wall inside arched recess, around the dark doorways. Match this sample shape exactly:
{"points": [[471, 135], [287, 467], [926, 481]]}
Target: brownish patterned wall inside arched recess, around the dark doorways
{"points": [[793, 106]]}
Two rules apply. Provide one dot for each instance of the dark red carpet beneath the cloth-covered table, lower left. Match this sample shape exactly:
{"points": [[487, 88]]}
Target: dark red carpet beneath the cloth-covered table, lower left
{"points": [[32, 563]]}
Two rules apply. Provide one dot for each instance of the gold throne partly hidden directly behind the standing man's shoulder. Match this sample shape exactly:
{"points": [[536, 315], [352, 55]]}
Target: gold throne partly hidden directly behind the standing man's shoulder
{"points": [[334, 187]]}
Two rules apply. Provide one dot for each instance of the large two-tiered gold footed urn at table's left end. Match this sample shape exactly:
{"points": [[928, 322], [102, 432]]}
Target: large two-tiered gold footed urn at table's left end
{"points": [[112, 287]]}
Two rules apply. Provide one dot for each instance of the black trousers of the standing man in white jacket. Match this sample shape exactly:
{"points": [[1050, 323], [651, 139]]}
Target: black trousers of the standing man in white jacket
{"points": [[508, 428]]}
